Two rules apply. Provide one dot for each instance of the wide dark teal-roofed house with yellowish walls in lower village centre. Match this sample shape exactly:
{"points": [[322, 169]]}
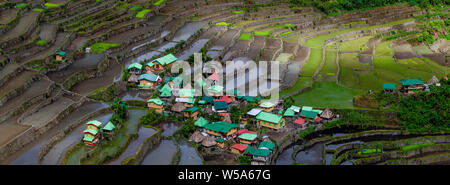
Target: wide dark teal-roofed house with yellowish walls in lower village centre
{"points": [[221, 129]]}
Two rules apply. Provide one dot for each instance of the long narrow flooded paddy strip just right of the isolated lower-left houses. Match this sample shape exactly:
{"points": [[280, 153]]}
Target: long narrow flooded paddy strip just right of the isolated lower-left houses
{"points": [[133, 147]]}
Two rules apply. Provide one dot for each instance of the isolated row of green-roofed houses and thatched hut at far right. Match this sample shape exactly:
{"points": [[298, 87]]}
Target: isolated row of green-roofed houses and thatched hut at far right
{"points": [[410, 86]]}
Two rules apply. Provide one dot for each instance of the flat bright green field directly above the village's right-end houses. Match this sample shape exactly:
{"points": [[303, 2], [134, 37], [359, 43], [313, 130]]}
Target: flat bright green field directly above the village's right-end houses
{"points": [[327, 94]]}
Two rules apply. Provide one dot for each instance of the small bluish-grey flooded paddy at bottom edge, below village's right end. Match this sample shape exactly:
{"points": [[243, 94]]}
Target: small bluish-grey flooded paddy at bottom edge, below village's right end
{"points": [[311, 156]]}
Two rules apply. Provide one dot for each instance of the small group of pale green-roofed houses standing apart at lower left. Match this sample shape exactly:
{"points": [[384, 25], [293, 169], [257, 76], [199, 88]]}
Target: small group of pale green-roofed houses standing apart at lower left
{"points": [[94, 133]]}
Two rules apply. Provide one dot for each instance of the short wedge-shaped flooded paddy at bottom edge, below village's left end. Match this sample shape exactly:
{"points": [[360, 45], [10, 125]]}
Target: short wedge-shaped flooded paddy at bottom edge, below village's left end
{"points": [[161, 155]]}
